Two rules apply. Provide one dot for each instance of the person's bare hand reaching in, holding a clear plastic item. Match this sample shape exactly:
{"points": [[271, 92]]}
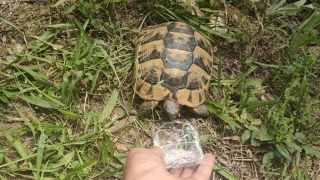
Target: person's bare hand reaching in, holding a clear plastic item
{"points": [[146, 164]]}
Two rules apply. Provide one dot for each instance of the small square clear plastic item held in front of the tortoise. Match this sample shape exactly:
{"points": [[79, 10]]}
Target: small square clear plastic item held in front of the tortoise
{"points": [[179, 141]]}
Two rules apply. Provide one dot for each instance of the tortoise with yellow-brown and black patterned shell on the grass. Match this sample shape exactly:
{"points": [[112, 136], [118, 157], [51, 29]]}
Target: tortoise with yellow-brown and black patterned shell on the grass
{"points": [[173, 65]]}
